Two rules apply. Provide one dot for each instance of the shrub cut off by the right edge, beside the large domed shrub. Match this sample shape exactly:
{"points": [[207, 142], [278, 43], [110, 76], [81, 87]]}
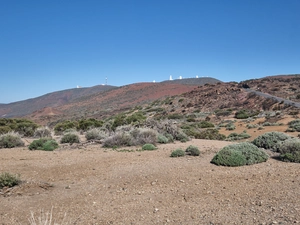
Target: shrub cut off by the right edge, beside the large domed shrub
{"points": [[290, 150]]}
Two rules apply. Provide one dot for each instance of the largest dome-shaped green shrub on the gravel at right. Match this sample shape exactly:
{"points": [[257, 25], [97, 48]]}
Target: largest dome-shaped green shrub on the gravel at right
{"points": [[239, 155]]}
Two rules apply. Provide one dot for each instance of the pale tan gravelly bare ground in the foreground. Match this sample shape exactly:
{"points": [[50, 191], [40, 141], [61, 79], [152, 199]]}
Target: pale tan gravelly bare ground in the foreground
{"points": [[93, 185]]}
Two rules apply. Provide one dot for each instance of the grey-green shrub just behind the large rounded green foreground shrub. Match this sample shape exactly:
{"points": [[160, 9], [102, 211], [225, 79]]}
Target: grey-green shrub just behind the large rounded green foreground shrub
{"points": [[270, 140]]}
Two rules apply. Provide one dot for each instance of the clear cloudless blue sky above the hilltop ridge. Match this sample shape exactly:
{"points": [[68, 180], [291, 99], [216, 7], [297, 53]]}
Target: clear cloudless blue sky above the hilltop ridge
{"points": [[52, 45]]}
